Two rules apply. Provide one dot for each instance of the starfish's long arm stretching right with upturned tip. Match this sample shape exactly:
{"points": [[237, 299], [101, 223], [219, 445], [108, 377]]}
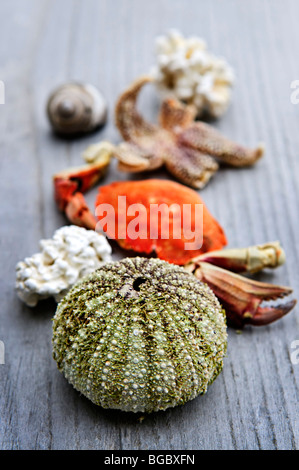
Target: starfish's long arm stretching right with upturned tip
{"points": [[208, 140]]}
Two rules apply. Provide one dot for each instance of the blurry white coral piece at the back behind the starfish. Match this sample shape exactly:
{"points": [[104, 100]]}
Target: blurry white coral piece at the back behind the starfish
{"points": [[187, 70]]}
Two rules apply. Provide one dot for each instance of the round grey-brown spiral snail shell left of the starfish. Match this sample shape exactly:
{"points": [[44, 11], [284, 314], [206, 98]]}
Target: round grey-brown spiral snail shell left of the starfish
{"points": [[76, 108]]}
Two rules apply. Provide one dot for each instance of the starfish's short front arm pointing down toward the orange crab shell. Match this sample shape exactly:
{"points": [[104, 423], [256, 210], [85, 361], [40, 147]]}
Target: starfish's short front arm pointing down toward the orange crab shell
{"points": [[190, 166]]}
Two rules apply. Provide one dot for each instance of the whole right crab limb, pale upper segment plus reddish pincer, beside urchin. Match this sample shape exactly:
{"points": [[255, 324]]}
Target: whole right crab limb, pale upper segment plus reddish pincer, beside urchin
{"points": [[240, 296]]}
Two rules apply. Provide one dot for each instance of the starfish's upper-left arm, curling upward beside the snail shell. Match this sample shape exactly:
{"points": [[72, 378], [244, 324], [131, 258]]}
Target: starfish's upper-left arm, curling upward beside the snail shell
{"points": [[129, 122]]}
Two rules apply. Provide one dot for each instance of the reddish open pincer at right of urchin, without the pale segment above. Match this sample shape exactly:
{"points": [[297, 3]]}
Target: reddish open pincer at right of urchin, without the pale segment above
{"points": [[241, 297]]}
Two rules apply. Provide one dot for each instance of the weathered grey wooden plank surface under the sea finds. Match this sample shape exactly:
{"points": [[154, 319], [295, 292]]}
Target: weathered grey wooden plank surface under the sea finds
{"points": [[254, 403]]}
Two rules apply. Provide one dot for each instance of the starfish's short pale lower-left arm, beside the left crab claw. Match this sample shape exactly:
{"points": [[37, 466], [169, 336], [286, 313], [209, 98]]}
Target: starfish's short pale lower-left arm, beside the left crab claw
{"points": [[133, 158]]}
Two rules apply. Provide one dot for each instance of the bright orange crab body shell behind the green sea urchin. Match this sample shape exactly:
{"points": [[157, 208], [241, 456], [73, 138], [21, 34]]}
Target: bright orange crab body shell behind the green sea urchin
{"points": [[156, 191]]}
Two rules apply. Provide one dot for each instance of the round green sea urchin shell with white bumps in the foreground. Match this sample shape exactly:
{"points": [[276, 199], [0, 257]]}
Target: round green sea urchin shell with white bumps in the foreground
{"points": [[140, 335]]}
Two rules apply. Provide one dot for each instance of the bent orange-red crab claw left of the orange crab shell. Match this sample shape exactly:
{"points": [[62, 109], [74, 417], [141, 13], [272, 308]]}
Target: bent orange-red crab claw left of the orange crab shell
{"points": [[69, 186]]}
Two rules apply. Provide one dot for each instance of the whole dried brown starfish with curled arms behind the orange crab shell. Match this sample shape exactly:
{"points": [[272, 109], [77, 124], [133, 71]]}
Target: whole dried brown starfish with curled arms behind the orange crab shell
{"points": [[187, 148]]}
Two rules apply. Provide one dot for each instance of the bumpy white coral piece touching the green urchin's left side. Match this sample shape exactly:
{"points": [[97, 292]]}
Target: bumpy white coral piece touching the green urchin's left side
{"points": [[72, 253]]}
